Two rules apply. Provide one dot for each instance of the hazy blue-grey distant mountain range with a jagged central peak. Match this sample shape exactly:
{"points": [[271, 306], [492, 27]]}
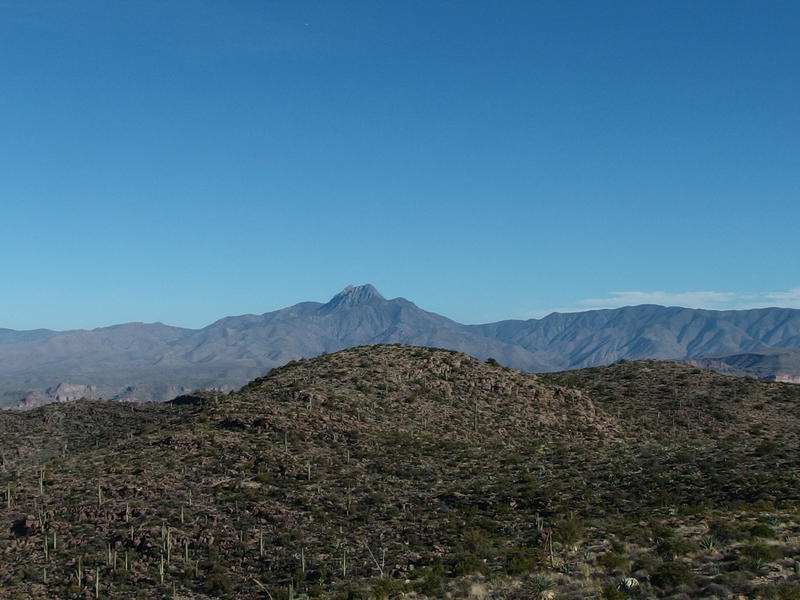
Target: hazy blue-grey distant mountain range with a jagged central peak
{"points": [[141, 361]]}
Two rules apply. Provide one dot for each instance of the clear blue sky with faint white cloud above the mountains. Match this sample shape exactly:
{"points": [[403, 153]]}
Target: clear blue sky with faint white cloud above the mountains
{"points": [[181, 161]]}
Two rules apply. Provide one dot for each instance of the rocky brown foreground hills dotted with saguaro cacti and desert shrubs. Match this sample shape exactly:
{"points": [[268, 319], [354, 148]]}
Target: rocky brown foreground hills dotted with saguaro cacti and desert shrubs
{"points": [[397, 471]]}
